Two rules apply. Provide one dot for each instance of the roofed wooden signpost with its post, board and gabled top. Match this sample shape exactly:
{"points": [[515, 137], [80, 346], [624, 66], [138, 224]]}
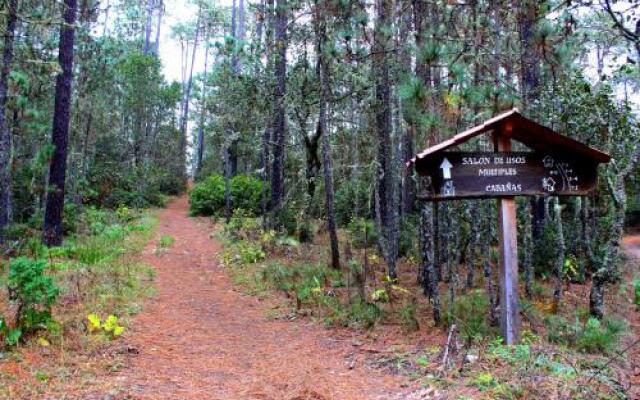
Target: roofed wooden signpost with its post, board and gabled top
{"points": [[557, 166]]}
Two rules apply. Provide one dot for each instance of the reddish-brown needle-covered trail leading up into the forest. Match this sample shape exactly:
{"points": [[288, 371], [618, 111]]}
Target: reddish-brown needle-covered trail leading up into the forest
{"points": [[200, 339]]}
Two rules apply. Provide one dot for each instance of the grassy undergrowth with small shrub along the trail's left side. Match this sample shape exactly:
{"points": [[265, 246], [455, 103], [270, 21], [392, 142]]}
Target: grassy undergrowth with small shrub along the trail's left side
{"points": [[52, 290]]}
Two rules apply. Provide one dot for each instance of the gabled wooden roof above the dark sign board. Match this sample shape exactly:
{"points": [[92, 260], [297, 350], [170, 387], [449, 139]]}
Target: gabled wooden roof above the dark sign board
{"points": [[524, 130]]}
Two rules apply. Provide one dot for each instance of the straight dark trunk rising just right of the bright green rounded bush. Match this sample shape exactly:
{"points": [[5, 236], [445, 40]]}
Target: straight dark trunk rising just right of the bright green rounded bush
{"points": [[279, 122]]}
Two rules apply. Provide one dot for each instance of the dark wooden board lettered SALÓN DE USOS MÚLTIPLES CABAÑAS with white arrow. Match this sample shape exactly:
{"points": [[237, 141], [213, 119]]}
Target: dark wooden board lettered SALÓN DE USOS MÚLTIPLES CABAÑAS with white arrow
{"points": [[498, 174]]}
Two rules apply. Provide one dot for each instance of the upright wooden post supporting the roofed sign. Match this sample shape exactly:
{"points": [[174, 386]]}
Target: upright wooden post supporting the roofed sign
{"points": [[508, 243]]}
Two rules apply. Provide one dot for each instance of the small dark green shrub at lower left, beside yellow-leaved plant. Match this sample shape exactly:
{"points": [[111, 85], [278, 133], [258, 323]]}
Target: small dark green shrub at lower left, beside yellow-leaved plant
{"points": [[32, 291]]}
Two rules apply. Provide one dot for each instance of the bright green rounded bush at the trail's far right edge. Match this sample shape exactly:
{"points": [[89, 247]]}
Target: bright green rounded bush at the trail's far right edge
{"points": [[207, 197]]}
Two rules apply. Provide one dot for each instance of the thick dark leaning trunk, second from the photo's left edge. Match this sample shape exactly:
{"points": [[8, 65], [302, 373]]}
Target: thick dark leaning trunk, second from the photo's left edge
{"points": [[52, 231]]}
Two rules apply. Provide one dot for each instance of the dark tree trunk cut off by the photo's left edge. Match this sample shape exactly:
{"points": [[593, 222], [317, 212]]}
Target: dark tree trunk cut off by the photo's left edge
{"points": [[5, 131]]}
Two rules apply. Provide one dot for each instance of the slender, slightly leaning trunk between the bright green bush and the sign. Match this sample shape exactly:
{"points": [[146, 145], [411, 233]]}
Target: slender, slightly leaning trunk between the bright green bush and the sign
{"points": [[321, 34]]}
